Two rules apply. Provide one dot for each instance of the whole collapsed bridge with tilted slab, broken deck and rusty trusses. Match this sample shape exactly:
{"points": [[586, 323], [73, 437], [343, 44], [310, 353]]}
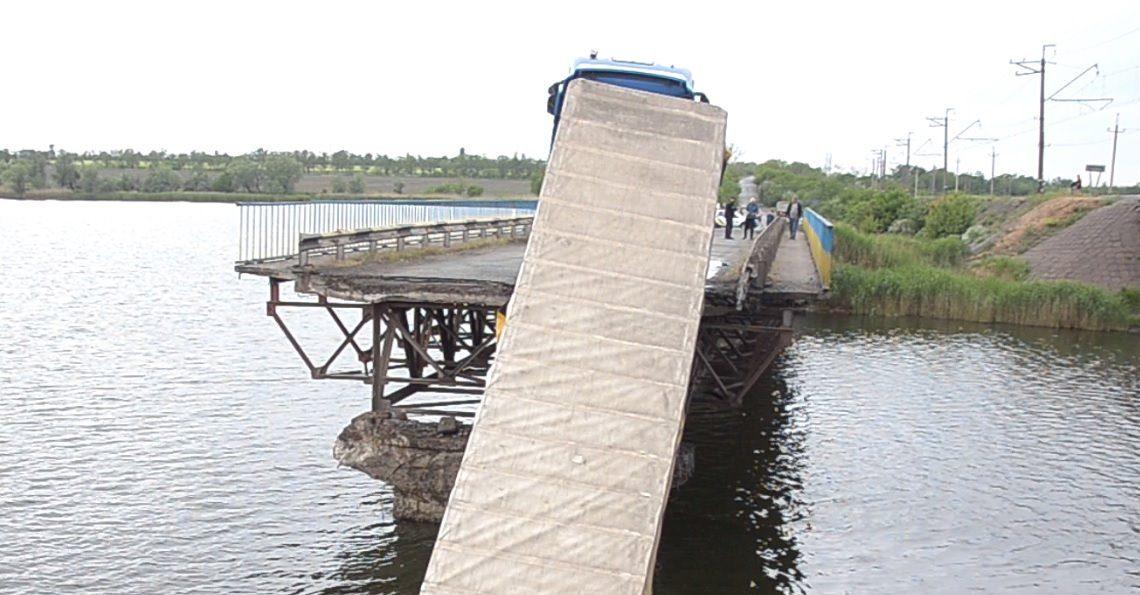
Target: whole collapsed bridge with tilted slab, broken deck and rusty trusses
{"points": [[599, 313]]}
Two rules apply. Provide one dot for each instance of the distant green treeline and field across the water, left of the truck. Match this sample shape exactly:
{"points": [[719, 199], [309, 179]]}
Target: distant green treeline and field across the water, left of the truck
{"points": [[258, 173]]}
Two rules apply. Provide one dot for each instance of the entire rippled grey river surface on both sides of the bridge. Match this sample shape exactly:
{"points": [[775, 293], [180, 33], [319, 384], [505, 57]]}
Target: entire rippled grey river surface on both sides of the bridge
{"points": [[158, 435]]}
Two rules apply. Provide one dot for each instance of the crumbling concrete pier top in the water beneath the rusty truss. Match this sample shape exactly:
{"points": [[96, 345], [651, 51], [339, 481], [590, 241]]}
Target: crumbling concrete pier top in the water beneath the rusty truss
{"points": [[421, 460]]}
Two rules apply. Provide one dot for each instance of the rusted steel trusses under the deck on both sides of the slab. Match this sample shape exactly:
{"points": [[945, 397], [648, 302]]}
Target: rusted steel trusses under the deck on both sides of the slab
{"points": [[403, 348]]}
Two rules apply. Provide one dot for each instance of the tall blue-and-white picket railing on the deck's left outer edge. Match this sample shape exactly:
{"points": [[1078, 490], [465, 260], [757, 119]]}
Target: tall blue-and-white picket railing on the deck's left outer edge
{"points": [[271, 232]]}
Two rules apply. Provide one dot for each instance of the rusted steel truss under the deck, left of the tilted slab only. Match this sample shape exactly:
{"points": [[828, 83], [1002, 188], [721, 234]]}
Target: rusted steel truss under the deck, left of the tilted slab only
{"points": [[408, 347]]}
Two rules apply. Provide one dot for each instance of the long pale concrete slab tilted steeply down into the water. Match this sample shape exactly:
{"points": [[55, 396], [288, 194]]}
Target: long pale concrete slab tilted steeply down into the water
{"points": [[565, 480]]}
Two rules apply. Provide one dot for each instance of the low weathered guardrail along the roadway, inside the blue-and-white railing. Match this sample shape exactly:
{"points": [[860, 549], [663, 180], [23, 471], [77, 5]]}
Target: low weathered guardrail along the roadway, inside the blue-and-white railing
{"points": [[398, 239]]}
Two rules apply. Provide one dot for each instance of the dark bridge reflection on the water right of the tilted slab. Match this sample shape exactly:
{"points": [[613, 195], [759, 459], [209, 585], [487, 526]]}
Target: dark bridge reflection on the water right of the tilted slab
{"points": [[732, 528]]}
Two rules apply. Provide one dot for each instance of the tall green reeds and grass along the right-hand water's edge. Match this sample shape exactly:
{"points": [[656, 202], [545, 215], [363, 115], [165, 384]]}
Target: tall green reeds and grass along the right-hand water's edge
{"points": [[902, 276]]}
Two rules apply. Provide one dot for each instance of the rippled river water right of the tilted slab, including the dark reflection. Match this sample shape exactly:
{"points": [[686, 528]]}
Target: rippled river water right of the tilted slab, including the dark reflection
{"points": [[897, 457]]}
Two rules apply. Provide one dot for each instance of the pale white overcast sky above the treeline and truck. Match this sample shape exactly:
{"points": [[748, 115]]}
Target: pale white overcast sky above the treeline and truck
{"points": [[800, 83]]}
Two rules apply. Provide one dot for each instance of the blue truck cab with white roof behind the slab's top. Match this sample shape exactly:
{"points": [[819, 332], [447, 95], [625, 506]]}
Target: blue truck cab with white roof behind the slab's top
{"points": [[642, 77]]}
